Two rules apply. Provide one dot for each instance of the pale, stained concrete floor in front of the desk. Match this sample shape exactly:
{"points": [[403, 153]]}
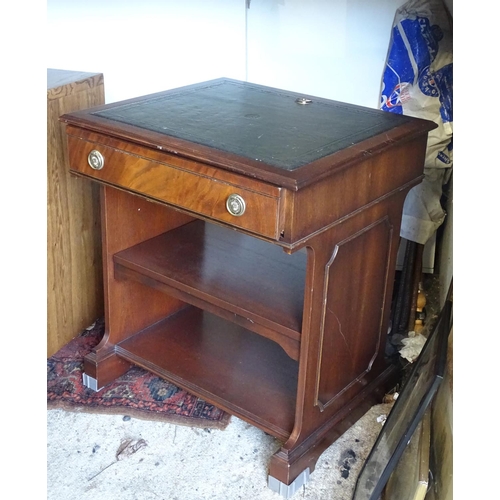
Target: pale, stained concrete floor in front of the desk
{"points": [[184, 463]]}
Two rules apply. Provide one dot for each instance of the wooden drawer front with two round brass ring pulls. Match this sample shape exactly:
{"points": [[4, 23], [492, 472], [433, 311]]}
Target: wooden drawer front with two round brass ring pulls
{"points": [[213, 198]]}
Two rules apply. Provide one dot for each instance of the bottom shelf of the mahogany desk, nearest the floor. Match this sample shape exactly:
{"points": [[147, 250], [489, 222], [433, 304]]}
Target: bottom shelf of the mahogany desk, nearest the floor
{"points": [[240, 372]]}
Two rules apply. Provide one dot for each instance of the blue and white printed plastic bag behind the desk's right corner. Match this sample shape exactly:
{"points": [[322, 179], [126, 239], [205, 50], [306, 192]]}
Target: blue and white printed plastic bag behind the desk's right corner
{"points": [[418, 81]]}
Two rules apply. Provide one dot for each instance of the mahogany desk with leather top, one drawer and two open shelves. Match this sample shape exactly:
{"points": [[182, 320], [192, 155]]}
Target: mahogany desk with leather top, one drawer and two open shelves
{"points": [[249, 245]]}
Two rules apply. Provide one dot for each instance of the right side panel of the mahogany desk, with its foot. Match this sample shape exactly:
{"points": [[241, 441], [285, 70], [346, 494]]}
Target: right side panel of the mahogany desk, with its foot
{"points": [[342, 370]]}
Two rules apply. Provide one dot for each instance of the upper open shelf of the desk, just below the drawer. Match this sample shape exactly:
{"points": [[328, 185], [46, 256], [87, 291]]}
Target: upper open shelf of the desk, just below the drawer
{"points": [[227, 273]]}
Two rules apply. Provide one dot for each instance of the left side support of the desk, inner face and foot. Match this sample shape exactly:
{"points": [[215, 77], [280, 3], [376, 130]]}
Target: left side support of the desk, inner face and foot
{"points": [[129, 307]]}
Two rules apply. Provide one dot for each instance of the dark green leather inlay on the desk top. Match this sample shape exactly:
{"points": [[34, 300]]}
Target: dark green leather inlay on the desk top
{"points": [[256, 122]]}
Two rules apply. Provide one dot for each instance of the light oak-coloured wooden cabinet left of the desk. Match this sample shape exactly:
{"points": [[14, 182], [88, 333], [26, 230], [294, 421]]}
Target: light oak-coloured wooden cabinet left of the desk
{"points": [[74, 262]]}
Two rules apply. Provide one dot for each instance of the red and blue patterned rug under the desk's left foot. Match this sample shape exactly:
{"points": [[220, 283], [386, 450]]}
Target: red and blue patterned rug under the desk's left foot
{"points": [[137, 393]]}
